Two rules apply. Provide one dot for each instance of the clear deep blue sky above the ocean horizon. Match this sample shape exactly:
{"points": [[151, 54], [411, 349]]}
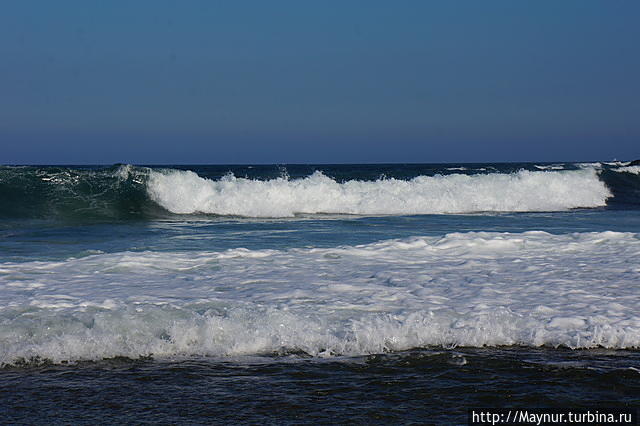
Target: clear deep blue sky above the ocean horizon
{"points": [[247, 81]]}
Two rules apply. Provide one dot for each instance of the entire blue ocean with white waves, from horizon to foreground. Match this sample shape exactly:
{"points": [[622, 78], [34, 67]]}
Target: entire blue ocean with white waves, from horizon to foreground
{"points": [[300, 294]]}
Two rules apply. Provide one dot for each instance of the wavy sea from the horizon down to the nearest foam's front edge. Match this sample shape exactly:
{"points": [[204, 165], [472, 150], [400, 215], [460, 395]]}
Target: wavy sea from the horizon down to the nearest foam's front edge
{"points": [[168, 262]]}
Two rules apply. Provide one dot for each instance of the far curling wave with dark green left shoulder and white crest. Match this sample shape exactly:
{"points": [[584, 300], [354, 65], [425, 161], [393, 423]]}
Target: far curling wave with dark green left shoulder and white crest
{"points": [[137, 193]]}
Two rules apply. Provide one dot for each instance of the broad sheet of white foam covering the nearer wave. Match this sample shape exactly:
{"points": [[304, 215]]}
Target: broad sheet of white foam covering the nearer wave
{"points": [[470, 289]]}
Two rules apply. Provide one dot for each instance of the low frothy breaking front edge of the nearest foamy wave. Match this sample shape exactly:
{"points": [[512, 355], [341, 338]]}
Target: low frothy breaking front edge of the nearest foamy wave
{"points": [[169, 332]]}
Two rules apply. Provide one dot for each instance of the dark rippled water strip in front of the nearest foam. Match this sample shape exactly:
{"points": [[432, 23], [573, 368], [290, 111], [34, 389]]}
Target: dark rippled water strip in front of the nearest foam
{"points": [[420, 386]]}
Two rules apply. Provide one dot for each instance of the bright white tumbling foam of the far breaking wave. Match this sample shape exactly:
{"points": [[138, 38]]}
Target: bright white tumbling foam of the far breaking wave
{"points": [[185, 192]]}
